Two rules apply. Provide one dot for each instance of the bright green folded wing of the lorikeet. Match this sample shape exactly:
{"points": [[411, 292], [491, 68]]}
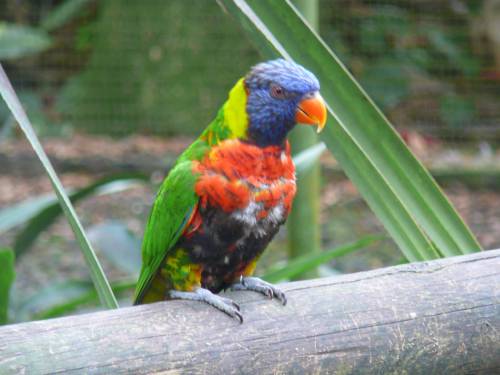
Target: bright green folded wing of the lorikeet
{"points": [[169, 216]]}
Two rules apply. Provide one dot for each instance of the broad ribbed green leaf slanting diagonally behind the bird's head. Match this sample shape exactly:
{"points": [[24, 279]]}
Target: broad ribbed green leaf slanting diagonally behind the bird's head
{"points": [[395, 185]]}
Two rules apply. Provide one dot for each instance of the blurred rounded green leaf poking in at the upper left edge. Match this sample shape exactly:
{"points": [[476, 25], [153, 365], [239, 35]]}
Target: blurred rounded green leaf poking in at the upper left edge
{"points": [[20, 41]]}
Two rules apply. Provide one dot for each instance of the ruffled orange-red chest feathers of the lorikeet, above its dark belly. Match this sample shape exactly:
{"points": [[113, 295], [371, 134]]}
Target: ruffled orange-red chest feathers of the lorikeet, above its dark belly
{"points": [[251, 184]]}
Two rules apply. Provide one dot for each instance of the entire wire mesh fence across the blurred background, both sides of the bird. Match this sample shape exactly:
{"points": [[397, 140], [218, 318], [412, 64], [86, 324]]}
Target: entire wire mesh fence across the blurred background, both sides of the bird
{"points": [[164, 67]]}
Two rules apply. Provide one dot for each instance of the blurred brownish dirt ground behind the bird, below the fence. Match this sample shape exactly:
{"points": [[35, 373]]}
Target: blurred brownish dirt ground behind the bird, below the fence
{"points": [[80, 159]]}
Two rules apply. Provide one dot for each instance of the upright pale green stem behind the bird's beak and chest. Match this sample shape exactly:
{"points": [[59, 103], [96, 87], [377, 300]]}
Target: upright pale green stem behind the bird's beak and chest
{"points": [[304, 231]]}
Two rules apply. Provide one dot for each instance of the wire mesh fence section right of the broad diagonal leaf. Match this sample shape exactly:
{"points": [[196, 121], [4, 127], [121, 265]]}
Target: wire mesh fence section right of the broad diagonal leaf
{"points": [[428, 64]]}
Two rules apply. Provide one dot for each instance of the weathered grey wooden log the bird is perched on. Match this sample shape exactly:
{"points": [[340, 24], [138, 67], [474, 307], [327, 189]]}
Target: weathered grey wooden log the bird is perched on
{"points": [[439, 317]]}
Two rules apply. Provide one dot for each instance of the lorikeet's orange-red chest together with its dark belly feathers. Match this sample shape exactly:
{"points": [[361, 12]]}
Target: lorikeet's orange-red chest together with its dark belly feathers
{"points": [[246, 193]]}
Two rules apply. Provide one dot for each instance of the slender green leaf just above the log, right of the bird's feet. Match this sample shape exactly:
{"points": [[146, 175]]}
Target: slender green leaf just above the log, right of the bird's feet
{"points": [[305, 263]]}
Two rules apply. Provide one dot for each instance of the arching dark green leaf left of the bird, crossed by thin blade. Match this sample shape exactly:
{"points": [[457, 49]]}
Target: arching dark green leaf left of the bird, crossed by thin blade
{"points": [[50, 213]]}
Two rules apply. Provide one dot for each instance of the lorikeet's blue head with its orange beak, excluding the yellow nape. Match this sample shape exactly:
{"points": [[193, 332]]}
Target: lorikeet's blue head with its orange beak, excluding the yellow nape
{"points": [[280, 94]]}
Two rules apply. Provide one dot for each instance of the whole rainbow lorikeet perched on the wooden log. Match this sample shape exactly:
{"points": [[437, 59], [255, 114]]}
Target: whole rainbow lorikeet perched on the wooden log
{"points": [[229, 192]]}
